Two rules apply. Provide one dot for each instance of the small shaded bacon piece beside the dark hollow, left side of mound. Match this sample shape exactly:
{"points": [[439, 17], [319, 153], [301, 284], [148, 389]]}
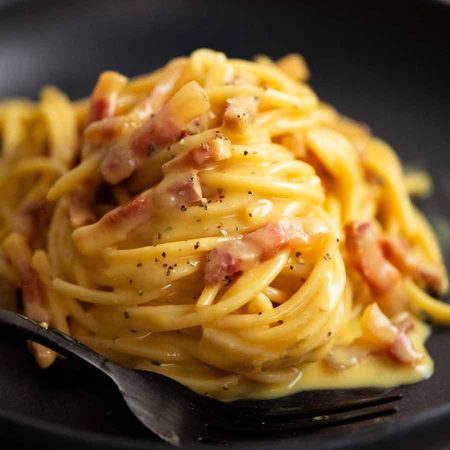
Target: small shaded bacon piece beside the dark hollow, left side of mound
{"points": [[81, 211]]}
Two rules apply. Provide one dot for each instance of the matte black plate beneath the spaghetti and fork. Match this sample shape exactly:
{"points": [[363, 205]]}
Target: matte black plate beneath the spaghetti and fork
{"points": [[385, 64]]}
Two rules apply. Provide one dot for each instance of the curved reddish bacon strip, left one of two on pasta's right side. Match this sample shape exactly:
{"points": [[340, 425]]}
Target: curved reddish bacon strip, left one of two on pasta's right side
{"points": [[366, 255]]}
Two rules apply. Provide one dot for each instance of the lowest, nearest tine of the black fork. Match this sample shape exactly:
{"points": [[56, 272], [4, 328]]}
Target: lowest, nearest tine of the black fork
{"points": [[275, 428]]}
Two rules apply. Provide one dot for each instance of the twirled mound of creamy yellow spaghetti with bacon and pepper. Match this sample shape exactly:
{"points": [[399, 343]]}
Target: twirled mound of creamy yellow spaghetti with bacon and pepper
{"points": [[215, 222]]}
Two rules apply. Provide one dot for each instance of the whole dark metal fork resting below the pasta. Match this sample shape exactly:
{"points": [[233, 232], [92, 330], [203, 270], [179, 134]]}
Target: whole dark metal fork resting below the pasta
{"points": [[182, 417]]}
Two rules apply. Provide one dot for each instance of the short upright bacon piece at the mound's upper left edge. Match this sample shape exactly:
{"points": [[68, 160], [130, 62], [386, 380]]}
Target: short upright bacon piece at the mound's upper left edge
{"points": [[105, 95]]}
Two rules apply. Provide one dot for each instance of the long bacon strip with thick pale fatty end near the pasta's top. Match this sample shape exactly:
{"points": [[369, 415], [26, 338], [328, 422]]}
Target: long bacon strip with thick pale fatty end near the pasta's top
{"points": [[163, 128]]}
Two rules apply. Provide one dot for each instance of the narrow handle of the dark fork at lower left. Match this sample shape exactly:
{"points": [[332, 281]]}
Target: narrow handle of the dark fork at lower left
{"points": [[52, 338]]}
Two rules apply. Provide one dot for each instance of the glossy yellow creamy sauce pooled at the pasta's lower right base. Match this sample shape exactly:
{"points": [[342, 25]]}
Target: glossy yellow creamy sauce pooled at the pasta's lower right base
{"points": [[373, 371]]}
